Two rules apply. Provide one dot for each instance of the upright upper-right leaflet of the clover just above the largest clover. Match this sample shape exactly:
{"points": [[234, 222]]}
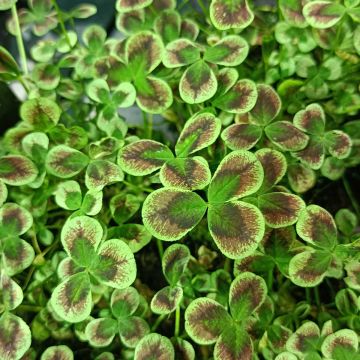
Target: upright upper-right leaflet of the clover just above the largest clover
{"points": [[199, 132]]}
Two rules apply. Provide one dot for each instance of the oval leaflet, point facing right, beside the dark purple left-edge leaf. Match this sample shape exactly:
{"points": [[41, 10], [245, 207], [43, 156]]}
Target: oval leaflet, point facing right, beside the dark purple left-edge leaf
{"points": [[65, 162]]}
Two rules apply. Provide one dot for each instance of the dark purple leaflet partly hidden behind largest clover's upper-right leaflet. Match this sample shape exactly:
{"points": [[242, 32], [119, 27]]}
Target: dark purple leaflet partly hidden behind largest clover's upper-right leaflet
{"points": [[274, 165]]}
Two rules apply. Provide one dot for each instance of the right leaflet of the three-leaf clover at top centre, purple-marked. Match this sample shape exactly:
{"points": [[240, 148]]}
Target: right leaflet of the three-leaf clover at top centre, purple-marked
{"points": [[231, 50]]}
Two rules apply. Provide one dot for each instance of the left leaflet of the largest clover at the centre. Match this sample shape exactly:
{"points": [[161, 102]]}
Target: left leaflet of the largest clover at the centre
{"points": [[170, 214]]}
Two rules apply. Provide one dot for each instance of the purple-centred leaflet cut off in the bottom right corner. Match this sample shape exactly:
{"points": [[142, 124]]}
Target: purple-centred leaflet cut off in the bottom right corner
{"points": [[342, 344]]}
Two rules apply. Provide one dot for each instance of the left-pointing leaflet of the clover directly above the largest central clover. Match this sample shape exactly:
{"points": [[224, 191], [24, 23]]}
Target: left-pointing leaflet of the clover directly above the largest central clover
{"points": [[143, 157]]}
